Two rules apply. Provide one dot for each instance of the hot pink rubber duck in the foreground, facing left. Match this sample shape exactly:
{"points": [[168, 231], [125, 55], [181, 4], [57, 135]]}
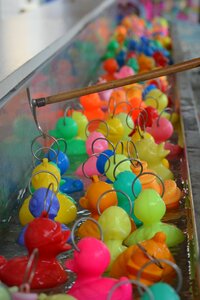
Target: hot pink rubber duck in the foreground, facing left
{"points": [[89, 263]]}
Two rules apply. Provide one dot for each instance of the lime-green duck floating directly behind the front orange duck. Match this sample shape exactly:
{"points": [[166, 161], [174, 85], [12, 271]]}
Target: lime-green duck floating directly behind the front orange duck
{"points": [[150, 208]]}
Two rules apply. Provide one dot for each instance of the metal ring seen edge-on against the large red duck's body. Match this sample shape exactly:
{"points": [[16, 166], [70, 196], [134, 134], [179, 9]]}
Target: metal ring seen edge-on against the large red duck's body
{"points": [[30, 271]]}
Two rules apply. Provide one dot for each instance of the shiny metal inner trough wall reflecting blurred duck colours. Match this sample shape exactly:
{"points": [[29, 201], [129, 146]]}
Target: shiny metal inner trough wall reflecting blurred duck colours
{"points": [[62, 71]]}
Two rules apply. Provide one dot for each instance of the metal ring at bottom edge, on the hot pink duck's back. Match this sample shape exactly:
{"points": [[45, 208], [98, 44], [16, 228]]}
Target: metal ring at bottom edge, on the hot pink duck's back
{"points": [[135, 282]]}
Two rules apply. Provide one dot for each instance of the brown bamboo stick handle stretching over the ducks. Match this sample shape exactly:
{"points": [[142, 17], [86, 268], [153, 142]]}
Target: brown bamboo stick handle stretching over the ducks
{"points": [[179, 67]]}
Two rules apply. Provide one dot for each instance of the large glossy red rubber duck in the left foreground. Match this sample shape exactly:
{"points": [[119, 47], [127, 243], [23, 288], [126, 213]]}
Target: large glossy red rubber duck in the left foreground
{"points": [[47, 236]]}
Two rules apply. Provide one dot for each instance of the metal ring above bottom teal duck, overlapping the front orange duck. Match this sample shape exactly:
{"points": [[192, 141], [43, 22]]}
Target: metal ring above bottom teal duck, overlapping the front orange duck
{"points": [[162, 260]]}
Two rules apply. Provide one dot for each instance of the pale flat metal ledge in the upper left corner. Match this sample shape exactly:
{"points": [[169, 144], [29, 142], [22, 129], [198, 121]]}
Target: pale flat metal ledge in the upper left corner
{"points": [[28, 40]]}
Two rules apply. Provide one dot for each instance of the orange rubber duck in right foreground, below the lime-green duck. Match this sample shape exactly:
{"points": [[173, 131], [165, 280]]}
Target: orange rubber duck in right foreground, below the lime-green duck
{"points": [[132, 260]]}
